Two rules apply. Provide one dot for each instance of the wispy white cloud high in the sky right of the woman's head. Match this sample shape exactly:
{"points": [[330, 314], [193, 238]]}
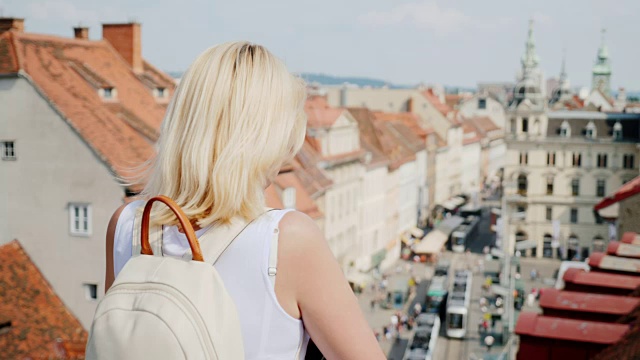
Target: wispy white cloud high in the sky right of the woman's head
{"points": [[424, 15]]}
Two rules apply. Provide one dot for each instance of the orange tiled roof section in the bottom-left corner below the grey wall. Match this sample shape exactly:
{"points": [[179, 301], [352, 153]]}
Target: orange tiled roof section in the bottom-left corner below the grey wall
{"points": [[41, 326]]}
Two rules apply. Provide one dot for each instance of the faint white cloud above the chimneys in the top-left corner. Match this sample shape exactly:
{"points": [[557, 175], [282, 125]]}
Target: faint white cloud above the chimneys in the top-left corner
{"points": [[64, 10]]}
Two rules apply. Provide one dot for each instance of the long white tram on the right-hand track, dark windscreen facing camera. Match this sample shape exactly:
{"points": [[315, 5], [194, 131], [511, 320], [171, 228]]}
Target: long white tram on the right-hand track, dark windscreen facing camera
{"points": [[458, 305]]}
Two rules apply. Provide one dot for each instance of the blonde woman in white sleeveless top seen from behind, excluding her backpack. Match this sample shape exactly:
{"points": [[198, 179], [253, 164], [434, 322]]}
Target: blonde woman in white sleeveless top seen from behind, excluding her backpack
{"points": [[235, 119]]}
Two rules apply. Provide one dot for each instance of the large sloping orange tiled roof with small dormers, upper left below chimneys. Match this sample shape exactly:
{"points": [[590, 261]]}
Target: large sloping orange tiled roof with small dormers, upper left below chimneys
{"points": [[69, 71]]}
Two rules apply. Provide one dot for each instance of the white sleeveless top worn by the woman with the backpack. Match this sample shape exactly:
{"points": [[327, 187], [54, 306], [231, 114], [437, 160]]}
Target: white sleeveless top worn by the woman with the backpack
{"points": [[268, 331]]}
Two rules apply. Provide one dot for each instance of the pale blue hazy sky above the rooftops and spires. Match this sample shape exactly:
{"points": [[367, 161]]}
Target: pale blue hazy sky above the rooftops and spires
{"points": [[452, 42]]}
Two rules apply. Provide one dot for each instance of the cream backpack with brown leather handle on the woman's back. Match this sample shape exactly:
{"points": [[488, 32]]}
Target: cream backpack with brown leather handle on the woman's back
{"points": [[166, 307]]}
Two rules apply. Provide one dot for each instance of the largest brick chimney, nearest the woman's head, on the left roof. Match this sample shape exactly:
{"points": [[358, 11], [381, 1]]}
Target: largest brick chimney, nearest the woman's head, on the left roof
{"points": [[125, 38]]}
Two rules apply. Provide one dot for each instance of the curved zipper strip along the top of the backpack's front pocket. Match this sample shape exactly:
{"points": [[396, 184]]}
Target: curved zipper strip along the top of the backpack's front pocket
{"points": [[182, 301]]}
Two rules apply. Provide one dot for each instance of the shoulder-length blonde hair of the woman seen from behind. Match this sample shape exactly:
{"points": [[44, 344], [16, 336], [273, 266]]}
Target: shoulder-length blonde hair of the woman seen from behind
{"points": [[236, 117]]}
